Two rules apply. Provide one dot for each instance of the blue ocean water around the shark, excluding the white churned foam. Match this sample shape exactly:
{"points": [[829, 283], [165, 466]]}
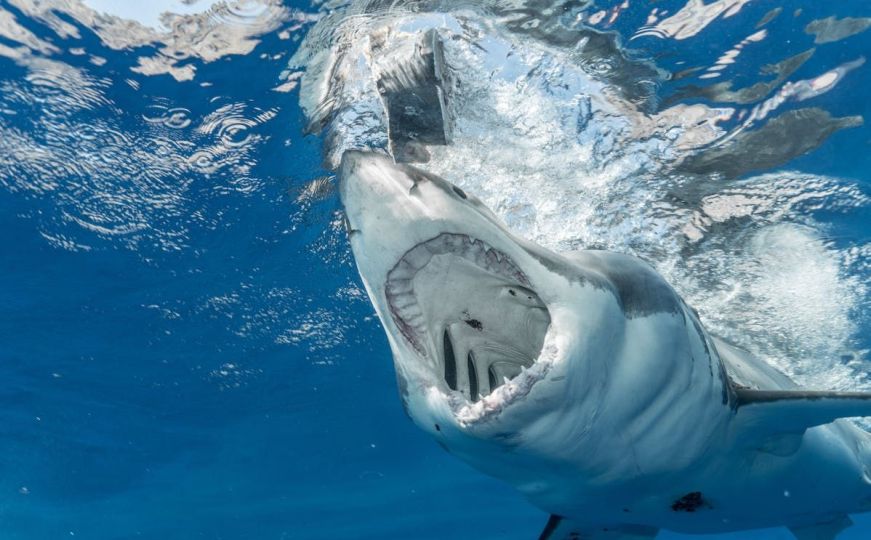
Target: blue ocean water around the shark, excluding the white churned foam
{"points": [[185, 346]]}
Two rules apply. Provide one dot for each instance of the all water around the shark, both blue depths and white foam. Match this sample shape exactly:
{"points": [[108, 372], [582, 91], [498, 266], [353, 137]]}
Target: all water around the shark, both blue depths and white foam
{"points": [[187, 350]]}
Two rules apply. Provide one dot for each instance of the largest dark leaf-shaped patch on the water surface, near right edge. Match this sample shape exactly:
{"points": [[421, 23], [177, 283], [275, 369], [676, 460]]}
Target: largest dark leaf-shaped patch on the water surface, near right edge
{"points": [[783, 138]]}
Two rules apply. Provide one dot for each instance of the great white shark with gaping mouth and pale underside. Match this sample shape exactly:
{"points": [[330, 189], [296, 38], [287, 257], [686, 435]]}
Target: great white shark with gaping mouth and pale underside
{"points": [[584, 380]]}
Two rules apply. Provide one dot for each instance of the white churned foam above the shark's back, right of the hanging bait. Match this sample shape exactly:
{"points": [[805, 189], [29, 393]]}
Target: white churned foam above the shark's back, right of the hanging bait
{"points": [[567, 163]]}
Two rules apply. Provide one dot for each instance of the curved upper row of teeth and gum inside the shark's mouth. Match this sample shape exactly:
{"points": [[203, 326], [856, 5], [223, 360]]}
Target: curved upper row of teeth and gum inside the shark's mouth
{"points": [[399, 289]]}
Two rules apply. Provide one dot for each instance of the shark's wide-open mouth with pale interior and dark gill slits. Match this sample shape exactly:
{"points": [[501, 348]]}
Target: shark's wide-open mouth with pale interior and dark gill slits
{"points": [[469, 311]]}
